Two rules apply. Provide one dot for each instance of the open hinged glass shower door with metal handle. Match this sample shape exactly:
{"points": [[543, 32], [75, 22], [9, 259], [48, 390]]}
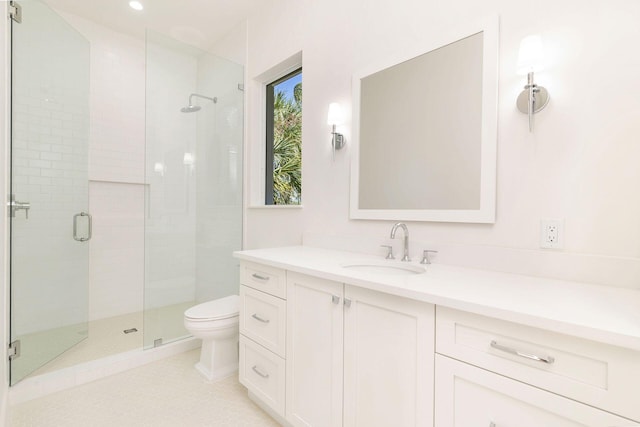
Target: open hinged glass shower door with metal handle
{"points": [[48, 205]]}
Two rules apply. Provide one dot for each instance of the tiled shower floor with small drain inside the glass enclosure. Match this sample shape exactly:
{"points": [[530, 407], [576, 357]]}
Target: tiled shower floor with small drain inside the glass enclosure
{"points": [[106, 336]]}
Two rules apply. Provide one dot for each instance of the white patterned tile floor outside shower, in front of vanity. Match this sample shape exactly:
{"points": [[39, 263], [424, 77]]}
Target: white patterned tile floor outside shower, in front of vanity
{"points": [[168, 392]]}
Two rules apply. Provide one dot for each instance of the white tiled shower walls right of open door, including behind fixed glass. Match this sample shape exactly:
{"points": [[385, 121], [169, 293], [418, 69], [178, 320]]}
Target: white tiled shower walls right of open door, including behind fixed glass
{"points": [[194, 213]]}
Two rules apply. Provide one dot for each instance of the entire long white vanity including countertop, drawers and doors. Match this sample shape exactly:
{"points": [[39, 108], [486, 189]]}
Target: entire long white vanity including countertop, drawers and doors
{"points": [[450, 348]]}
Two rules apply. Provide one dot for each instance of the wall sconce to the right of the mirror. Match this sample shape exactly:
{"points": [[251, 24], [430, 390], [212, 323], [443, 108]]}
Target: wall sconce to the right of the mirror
{"points": [[533, 98]]}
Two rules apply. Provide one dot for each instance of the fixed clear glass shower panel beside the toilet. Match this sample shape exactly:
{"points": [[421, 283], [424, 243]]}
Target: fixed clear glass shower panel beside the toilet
{"points": [[193, 183]]}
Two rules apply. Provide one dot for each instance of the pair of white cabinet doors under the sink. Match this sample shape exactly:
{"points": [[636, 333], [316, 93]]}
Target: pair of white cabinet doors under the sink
{"points": [[385, 355]]}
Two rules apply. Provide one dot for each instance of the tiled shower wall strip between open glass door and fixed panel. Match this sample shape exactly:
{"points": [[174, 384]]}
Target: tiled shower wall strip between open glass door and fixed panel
{"points": [[116, 169]]}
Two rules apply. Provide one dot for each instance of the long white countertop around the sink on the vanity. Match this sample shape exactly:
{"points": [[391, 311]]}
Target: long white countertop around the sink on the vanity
{"points": [[601, 313]]}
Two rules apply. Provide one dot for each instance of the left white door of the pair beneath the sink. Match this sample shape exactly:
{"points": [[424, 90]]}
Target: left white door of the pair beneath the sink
{"points": [[314, 351]]}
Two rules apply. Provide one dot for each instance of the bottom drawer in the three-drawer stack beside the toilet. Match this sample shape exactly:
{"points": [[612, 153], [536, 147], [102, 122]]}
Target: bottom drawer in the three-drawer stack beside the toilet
{"points": [[262, 372]]}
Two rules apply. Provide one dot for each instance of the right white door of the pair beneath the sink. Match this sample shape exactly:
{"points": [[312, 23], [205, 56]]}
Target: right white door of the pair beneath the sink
{"points": [[389, 350]]}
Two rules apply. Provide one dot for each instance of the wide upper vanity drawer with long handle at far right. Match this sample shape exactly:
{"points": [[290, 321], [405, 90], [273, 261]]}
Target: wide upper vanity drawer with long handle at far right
{"points": [[601, 375]]}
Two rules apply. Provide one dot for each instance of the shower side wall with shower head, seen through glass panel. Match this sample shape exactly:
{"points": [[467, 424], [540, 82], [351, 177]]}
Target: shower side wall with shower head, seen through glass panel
{"points": [[219, 191]]}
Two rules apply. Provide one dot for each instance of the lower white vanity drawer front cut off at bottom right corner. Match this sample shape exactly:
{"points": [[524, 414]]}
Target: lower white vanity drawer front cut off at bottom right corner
{"points": [[467, 396]]}
